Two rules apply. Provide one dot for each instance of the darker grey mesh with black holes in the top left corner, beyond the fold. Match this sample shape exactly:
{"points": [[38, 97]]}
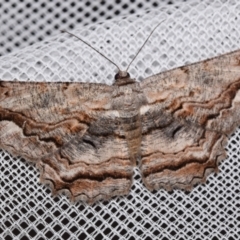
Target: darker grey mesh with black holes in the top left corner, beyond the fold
{"points": [[25, 22]]}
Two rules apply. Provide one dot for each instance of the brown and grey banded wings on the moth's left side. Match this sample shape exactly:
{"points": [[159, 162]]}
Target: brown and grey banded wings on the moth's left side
{"points": [[71, 133]]}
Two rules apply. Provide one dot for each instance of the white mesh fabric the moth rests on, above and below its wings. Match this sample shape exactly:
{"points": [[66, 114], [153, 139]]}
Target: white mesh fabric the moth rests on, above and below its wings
{"points": [[192, 31]]}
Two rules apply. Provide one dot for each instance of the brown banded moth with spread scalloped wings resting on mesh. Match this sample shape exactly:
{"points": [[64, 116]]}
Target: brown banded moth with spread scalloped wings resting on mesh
{"points": [[86, 138]]}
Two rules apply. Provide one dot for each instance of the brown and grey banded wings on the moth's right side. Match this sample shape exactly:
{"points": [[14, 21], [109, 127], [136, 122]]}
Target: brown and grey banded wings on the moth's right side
{"points": [[190, 112]]}
